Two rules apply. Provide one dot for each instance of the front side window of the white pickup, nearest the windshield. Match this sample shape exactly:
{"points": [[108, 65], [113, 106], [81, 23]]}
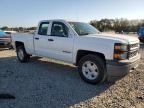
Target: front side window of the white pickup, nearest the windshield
{"points": [[59, 29]]}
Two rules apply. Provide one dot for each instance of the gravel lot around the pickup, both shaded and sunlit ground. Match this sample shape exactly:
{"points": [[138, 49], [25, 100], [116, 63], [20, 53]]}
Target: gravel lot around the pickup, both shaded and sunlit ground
{"points": [[44, 83]]}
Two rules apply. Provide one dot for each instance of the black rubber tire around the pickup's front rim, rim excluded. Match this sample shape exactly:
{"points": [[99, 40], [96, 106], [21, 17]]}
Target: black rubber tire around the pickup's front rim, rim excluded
{"points": [[101, 67]]}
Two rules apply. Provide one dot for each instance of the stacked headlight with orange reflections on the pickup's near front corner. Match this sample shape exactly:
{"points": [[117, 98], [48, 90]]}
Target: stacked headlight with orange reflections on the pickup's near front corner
{"points": [[120, 51]]}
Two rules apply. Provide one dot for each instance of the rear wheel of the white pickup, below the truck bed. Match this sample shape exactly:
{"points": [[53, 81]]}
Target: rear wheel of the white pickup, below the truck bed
{"points": [[22, 55]]}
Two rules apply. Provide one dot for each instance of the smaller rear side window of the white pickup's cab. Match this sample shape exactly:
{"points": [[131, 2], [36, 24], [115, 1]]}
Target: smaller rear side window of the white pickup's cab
{"points": [[43, 28]]}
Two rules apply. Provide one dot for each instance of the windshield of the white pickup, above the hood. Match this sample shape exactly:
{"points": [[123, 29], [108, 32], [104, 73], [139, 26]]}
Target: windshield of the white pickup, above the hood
{"points": [[83, 28]]}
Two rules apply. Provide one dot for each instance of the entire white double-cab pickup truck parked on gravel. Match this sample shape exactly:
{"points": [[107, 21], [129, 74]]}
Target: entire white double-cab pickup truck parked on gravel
{"points": [[98, 56]]}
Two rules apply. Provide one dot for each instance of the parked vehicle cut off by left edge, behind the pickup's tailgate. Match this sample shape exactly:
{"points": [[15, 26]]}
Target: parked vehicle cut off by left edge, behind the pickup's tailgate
{"points": [[5, 39]]}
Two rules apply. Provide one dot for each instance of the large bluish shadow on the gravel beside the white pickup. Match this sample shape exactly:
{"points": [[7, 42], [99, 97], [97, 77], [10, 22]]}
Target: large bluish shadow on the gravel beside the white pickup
{"points": [[45, 82]]}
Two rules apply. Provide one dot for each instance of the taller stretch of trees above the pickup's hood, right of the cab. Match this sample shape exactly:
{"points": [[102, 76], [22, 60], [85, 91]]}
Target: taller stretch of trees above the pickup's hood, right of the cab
{"points": [[117, 25]]}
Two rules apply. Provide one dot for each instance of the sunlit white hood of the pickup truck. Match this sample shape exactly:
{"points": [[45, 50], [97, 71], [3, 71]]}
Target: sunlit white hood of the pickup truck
{"points": [[117, 37]]}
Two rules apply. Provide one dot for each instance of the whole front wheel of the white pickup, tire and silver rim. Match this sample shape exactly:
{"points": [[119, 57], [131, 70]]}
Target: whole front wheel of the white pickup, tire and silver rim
{"points": [[92, 69]]}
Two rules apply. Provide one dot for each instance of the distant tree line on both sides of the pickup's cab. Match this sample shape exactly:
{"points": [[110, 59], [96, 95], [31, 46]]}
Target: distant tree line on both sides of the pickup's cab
{"points": [[116, 25]]}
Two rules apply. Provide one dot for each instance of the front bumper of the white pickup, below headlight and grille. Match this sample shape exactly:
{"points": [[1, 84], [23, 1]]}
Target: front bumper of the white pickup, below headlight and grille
{"points": [[118, 69]]}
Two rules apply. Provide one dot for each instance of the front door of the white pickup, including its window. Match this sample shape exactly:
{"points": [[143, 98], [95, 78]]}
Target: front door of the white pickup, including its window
{"points": [[60, 43]]}
